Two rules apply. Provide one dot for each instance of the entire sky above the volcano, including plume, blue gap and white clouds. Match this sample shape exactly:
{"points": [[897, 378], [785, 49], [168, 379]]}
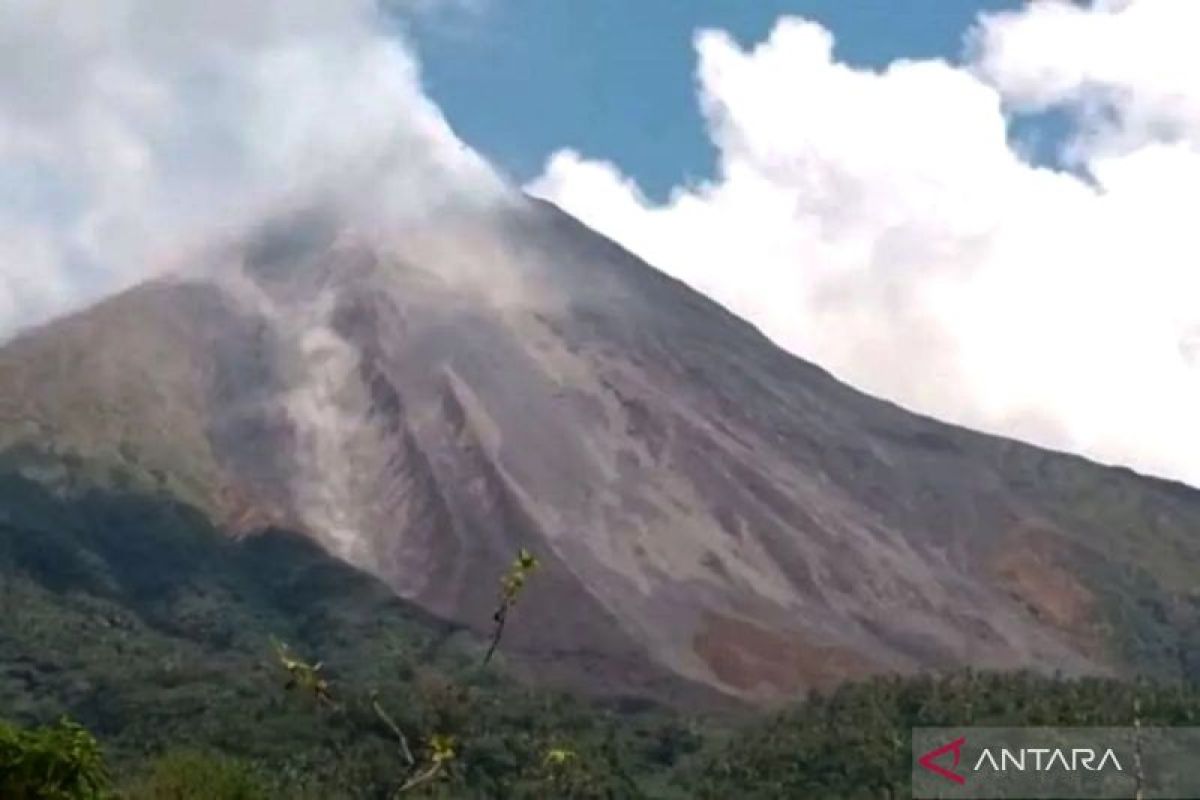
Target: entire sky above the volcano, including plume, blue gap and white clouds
{"points": [[982, 212]]}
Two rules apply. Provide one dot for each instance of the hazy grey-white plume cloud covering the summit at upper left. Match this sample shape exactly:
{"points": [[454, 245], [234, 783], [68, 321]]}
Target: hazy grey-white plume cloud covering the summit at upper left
{"points": [[134, 130]]}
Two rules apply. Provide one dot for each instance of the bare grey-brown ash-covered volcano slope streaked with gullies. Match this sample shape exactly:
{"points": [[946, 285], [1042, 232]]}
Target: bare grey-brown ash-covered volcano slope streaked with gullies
{"points": [[710, 508]]}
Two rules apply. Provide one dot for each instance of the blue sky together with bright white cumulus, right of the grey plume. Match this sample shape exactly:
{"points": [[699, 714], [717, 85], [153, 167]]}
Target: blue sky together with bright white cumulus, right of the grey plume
{"points": [[980, 234]]}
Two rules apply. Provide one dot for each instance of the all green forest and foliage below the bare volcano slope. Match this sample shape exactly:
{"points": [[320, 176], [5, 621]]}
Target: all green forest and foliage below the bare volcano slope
{"points": [[131, 616]]}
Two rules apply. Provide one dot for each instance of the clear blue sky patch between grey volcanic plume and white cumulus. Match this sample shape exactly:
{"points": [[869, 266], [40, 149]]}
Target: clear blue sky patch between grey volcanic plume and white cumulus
{"points": [[614, 80]]}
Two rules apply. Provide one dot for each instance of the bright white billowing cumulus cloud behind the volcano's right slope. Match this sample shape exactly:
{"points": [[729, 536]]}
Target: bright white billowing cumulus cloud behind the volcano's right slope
{"points": [[879, 222]]}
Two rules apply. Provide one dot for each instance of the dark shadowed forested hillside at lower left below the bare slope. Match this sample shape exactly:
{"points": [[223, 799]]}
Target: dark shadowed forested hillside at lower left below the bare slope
{"points": [[131, 615]]}
